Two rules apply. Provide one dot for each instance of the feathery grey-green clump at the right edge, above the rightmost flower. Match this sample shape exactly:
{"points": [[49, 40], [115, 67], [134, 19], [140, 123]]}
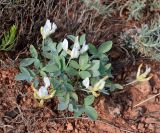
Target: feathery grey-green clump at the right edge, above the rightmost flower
{"points": [[145, 40]]}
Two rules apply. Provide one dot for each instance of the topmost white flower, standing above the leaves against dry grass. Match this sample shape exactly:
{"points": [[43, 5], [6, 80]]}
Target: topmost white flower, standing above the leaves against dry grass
{"points": [[48, 29]]}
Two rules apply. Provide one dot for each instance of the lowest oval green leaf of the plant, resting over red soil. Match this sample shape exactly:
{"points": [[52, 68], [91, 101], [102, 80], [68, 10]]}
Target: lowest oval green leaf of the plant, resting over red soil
{"points": [[91, 112]]}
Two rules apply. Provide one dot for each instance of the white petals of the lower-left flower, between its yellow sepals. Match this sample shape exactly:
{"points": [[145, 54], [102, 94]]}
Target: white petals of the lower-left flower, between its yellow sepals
{"points": [[42, 92]]}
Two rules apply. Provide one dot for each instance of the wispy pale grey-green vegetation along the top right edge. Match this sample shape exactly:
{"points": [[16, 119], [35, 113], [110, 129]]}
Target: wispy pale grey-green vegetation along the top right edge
{"points": [[136, 9]]}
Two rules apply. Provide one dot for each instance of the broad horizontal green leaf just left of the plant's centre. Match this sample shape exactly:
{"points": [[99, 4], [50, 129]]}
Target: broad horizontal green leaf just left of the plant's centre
{"points": [[50, 68]]}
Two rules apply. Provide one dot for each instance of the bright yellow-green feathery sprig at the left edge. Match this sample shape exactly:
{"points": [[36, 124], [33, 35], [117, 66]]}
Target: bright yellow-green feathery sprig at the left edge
{"points": [[8, 39]]}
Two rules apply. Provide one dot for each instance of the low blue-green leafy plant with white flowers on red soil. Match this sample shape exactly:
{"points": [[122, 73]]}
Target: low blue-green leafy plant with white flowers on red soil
{"points": [[68, 70]]}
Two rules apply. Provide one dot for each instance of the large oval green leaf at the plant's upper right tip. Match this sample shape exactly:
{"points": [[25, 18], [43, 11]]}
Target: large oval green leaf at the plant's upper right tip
{"points": [[105, 47]]}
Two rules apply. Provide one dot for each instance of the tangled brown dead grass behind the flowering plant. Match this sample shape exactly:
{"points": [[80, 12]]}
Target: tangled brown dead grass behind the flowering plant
{"points": [[71, 16]]}
